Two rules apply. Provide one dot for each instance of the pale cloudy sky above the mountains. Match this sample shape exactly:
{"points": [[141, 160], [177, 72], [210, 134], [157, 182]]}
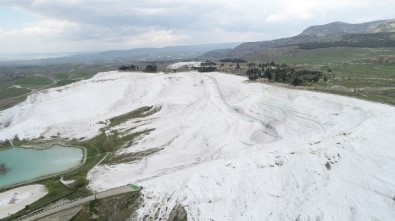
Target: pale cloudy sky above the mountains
{"points": [[97, 25]]}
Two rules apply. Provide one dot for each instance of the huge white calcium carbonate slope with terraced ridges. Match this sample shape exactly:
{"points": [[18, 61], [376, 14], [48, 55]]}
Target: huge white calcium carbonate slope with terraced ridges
{"points": [[230, 149]]}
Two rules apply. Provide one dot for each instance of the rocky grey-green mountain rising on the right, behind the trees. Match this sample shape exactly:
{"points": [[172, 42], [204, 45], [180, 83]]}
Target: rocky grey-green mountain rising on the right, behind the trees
{"points": [[369, 34]]}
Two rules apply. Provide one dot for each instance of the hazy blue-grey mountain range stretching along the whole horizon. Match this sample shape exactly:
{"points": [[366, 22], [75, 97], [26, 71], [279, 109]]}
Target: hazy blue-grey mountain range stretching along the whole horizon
{"points": [[335, 34]]}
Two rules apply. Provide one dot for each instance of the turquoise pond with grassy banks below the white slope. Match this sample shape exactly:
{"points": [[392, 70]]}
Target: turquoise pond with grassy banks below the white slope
{"points": [[28, 164]]}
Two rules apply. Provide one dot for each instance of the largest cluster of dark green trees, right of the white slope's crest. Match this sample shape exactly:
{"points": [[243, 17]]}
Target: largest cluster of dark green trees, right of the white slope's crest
{"points": [[282, 73]]}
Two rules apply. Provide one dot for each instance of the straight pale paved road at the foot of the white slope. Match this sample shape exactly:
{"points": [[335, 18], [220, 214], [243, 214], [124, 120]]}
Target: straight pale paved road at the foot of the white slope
{"points": [[101, 195]]}
